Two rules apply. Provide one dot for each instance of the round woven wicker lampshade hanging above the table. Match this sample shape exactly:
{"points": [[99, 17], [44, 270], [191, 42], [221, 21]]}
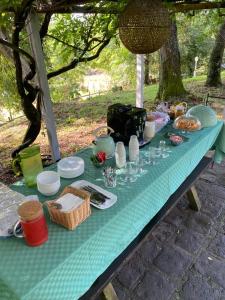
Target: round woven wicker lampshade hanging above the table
{"points": [[144, 26]]}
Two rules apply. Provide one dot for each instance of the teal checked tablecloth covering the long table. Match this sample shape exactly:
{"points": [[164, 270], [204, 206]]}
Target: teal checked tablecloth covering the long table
{"points": [[67, 265]]}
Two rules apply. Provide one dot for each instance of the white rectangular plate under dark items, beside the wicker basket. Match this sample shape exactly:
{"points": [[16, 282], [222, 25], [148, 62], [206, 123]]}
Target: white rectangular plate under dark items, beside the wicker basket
{"points": [[108, 202]]}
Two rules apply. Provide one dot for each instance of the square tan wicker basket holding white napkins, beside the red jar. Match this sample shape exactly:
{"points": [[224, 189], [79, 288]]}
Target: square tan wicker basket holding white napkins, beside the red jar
{"points": [[73, 218]]}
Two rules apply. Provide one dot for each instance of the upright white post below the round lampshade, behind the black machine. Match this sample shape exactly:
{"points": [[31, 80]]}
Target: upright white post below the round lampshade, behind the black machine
{"points": [[140, 81]]}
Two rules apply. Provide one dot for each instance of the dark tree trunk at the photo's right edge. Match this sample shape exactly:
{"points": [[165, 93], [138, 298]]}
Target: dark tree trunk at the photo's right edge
{"points": [[215, 61]]}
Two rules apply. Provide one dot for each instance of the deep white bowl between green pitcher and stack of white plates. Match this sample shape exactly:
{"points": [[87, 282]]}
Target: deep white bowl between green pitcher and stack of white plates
{"points": [[48, 183]]}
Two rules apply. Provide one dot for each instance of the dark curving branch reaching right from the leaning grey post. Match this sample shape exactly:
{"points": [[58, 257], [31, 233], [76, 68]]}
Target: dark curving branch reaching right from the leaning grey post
{"points": [[75, 62]]}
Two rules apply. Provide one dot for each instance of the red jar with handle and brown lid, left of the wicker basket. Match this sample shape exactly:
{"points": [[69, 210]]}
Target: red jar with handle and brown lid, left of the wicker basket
{"points": [[33, 223]]}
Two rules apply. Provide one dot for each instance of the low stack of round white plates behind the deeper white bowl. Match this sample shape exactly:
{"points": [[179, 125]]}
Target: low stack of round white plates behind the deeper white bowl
{"points": [[70, 167]]}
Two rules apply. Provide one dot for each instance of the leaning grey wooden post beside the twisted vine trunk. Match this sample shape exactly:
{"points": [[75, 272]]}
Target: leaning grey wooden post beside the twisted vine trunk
{"points": [[33, 27]]}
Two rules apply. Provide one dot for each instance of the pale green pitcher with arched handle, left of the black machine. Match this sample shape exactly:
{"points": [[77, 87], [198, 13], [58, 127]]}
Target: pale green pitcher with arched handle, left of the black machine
{"points": [[104, 143]]}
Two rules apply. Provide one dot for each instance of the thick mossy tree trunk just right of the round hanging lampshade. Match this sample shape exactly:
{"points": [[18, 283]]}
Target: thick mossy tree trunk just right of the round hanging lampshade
{"points": [[170, 81]]}
